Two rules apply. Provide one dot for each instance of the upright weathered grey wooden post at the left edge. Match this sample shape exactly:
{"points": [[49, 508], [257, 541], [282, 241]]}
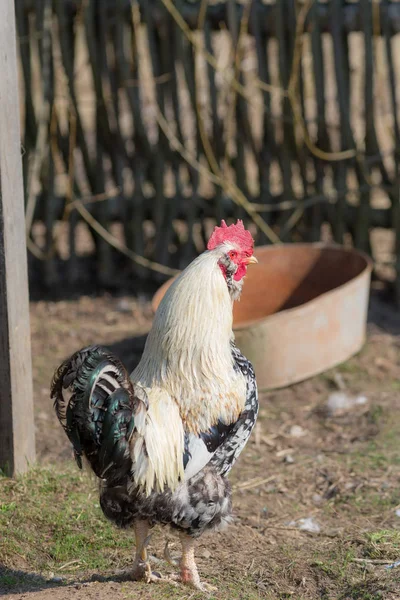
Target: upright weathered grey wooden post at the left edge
{"points": [[17, 440]]}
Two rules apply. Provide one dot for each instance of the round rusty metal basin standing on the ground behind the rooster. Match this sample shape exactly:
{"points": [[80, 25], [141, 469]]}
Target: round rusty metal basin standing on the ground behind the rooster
{"points": [[303, 310]]}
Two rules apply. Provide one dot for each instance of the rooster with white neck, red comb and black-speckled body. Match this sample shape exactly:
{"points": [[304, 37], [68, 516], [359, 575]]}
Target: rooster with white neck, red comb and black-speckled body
{"points": [[163, 440]]}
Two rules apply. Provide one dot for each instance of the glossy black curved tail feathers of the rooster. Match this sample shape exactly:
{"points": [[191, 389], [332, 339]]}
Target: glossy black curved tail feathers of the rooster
{"points": [[94, 401]]}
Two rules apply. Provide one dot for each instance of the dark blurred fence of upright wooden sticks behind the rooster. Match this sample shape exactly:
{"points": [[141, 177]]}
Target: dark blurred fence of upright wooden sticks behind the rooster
{"points": [[145, 121]]}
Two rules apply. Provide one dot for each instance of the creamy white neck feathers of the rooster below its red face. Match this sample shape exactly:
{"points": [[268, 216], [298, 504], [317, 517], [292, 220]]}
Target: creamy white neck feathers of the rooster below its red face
{"points": [[188, 350]]}
